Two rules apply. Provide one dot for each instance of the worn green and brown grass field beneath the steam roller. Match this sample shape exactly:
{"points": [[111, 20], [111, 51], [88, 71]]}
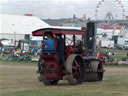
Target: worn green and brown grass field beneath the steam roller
{"points": [[20, 79]]}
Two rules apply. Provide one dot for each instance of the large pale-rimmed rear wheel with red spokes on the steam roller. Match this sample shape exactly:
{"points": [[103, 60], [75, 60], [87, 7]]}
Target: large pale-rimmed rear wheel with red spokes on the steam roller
{"points": [[75, 68]]}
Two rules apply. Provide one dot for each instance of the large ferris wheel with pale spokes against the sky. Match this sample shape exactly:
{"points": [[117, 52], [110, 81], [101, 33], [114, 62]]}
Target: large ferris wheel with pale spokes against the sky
{"points": [[109, 10]]}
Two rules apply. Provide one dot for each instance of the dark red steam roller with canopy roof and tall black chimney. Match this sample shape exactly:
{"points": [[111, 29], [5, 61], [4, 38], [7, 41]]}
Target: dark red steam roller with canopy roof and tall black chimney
{"points": [[80, 62]]}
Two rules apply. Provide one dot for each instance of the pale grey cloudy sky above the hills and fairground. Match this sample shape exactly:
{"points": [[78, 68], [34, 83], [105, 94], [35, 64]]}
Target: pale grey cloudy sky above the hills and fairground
{"points": [[55, 9]]}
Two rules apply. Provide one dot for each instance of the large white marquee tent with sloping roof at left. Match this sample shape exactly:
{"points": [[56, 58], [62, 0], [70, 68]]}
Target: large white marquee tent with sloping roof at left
{"points": [[15, 27]]}
